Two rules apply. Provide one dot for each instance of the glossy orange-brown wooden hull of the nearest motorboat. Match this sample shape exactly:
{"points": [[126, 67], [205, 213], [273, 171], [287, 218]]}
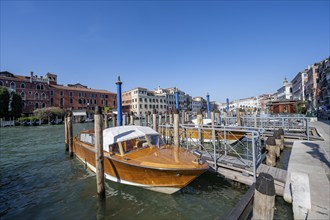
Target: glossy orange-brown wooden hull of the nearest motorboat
{"points": [[117, 169]]}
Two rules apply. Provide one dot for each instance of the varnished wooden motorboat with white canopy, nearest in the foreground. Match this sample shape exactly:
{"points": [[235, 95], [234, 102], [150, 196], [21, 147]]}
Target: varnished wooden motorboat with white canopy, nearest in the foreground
{"points": [[136, 155]]}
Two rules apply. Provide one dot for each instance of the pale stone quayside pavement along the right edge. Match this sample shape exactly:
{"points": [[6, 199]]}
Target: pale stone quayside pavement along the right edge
{"points": [[307, 185]]}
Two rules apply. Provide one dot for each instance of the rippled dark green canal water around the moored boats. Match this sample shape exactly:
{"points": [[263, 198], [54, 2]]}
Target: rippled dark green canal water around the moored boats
{"points": [[38, 180]]}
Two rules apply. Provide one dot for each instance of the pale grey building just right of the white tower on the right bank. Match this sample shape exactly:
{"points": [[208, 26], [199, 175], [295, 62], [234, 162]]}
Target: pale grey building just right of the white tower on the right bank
{"points": [[298, 85]]}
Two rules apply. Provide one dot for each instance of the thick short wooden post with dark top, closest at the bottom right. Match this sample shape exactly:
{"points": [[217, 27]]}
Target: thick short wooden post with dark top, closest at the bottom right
{"points": [[264, 197]]}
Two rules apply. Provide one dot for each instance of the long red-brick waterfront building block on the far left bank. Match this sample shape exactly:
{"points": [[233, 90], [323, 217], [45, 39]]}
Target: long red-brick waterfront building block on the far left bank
{"points": [[41, 92]]}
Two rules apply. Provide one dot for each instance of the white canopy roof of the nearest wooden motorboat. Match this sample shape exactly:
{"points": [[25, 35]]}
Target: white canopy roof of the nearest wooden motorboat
{"points": [[124, 133]]}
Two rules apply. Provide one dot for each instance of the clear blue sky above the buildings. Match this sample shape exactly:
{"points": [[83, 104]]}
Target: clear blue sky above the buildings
{"points": [[233, 49]]}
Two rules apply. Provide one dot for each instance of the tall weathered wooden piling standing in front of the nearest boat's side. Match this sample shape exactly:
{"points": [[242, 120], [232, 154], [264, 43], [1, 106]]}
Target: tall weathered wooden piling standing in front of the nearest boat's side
{"points": [[99, 152]]}
